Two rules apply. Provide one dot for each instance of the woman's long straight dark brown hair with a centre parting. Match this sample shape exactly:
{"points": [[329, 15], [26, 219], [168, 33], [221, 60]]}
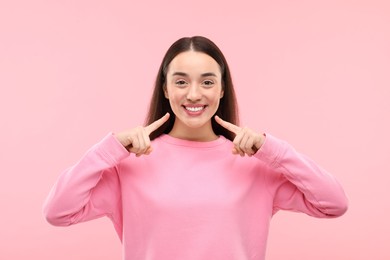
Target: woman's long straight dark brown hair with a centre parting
{"points": [[159, 104]]}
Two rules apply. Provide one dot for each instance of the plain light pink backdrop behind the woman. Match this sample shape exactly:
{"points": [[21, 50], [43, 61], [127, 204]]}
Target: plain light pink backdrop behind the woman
{"points": [[315, 73]]}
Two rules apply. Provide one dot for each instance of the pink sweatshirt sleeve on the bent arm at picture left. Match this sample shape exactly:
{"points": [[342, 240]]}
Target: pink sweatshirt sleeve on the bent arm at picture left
{"points": [[89, 189]]}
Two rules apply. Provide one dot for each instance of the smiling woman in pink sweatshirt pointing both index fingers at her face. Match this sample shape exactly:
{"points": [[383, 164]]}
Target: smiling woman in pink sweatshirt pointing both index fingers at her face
{"points": [[192, 184]]}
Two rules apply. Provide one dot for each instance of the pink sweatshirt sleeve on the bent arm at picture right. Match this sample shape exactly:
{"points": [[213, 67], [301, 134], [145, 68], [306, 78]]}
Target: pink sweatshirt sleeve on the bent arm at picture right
{"points": [[298, 183]]}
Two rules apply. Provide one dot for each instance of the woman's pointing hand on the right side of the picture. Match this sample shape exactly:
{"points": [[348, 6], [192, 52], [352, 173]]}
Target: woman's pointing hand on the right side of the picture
{"points": [[246, 141]]}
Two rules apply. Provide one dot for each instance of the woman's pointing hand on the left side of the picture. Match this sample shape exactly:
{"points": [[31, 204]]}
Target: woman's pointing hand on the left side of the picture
{"points": [[137, 140]]}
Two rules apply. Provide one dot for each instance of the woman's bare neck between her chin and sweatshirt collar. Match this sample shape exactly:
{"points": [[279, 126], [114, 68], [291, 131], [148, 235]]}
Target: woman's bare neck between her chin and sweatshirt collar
{"points": [[203, 134]]}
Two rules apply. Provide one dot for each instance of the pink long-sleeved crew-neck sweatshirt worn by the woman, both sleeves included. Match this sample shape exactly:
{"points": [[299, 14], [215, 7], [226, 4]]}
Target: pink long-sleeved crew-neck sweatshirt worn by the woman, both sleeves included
{"points": [[192, 200]]}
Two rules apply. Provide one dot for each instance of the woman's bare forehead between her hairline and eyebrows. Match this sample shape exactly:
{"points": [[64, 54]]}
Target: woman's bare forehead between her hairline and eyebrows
{"points": [[192, 62]]}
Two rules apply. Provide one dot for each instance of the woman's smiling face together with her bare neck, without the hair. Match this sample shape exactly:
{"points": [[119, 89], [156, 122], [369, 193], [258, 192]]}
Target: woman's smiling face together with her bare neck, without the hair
{"points": [[194, 89]]}
